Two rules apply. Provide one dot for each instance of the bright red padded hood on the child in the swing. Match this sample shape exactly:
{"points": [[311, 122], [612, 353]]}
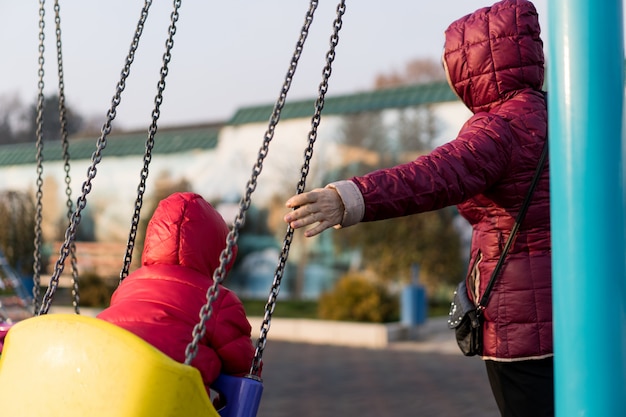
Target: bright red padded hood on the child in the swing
{"points": [[186, 230]]}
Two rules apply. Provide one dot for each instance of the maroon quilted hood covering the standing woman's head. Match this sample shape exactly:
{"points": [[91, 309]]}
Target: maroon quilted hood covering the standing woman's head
{"points": [[493, 53]]}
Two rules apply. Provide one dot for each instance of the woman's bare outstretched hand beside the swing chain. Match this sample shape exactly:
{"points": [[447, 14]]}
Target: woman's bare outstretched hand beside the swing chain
{"points": [[321, 205]]}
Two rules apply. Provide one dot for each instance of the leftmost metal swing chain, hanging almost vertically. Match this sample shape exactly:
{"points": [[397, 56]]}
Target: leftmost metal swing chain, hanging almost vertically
{"points": [[39, 157]]}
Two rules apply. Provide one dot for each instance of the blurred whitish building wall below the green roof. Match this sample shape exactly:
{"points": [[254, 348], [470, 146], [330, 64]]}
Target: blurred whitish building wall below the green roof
{"points": [[217, 174]]}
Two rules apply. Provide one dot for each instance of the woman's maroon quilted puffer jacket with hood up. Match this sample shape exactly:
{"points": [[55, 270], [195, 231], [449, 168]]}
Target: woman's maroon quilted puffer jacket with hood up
{"points": [[494, 60]]}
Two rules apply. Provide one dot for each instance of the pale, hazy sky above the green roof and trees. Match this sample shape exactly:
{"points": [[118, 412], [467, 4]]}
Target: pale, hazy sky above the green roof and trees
{"points": [[227, 54]]}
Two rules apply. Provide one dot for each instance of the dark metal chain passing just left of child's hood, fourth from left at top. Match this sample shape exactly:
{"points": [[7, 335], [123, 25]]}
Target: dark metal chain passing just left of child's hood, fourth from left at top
{"points": [[167, 56]]}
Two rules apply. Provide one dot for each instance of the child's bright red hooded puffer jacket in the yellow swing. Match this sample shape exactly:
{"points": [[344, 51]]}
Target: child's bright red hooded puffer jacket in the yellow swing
{"points": [[161, 301]]}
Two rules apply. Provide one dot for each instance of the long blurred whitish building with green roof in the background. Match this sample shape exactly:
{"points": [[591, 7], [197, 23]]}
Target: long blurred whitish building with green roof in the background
{"points": [[215, 159]]}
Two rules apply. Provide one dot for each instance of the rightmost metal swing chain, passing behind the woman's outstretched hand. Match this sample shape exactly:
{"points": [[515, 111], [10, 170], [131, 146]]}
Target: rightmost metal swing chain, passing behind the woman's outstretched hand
{"points": [[308, 154]]}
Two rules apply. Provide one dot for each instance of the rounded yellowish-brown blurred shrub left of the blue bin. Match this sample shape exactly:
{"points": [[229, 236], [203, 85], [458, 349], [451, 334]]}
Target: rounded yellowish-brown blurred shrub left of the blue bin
{"points": [[356, 297]]}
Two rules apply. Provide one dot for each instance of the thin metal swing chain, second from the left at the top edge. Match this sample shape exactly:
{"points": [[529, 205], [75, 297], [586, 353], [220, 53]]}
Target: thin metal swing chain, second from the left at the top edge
{"points": [[66, 154]]}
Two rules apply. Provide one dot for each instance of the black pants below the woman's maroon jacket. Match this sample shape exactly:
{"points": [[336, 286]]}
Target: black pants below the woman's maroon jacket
{"points": [[524, 388]]}
